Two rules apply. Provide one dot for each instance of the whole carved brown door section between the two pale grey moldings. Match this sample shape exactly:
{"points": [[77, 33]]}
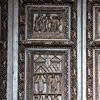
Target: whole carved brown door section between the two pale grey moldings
{"points": [[47, 50]]}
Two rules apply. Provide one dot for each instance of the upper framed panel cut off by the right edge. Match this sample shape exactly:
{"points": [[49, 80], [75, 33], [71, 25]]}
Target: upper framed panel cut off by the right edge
{"points": [[96, 23]]}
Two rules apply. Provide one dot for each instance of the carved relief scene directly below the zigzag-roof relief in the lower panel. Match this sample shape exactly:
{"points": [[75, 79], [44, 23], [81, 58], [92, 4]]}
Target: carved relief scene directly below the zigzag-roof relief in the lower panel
{"points": [[53, 84]]}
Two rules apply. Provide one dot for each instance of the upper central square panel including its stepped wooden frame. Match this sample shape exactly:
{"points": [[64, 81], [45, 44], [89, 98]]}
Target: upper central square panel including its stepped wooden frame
{"points": [[47, 22]]}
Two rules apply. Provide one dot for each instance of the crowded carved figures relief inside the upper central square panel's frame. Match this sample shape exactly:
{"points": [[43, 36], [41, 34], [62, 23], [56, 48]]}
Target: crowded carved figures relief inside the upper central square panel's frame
{"points": [[47, 23]]}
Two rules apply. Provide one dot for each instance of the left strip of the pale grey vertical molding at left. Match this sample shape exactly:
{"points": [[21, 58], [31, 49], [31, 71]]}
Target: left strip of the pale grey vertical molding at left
{"points": [[10, 52]]}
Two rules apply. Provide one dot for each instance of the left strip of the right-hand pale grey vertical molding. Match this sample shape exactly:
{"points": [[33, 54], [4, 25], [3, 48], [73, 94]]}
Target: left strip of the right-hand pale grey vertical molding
{"points": [[79, 49]]}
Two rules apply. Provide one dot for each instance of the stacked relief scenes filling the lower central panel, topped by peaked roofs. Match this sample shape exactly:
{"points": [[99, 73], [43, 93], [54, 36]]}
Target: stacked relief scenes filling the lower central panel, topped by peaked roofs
{"points": [[48, 80]]}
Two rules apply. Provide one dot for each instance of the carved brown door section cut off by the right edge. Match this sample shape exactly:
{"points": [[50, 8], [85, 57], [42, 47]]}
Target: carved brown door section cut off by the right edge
{"points": [[93, 49]]}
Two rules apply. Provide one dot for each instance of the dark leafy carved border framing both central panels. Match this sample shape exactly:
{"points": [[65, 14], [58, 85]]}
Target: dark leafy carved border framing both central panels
{"points": [[47, 44]]}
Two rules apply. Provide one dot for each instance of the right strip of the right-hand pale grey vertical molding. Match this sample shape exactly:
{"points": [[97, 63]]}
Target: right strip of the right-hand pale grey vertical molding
{"points": [[84, 10]]}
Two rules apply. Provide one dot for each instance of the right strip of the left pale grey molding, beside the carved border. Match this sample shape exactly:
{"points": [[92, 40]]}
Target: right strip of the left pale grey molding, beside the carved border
{"points": [[15, 51]]}
